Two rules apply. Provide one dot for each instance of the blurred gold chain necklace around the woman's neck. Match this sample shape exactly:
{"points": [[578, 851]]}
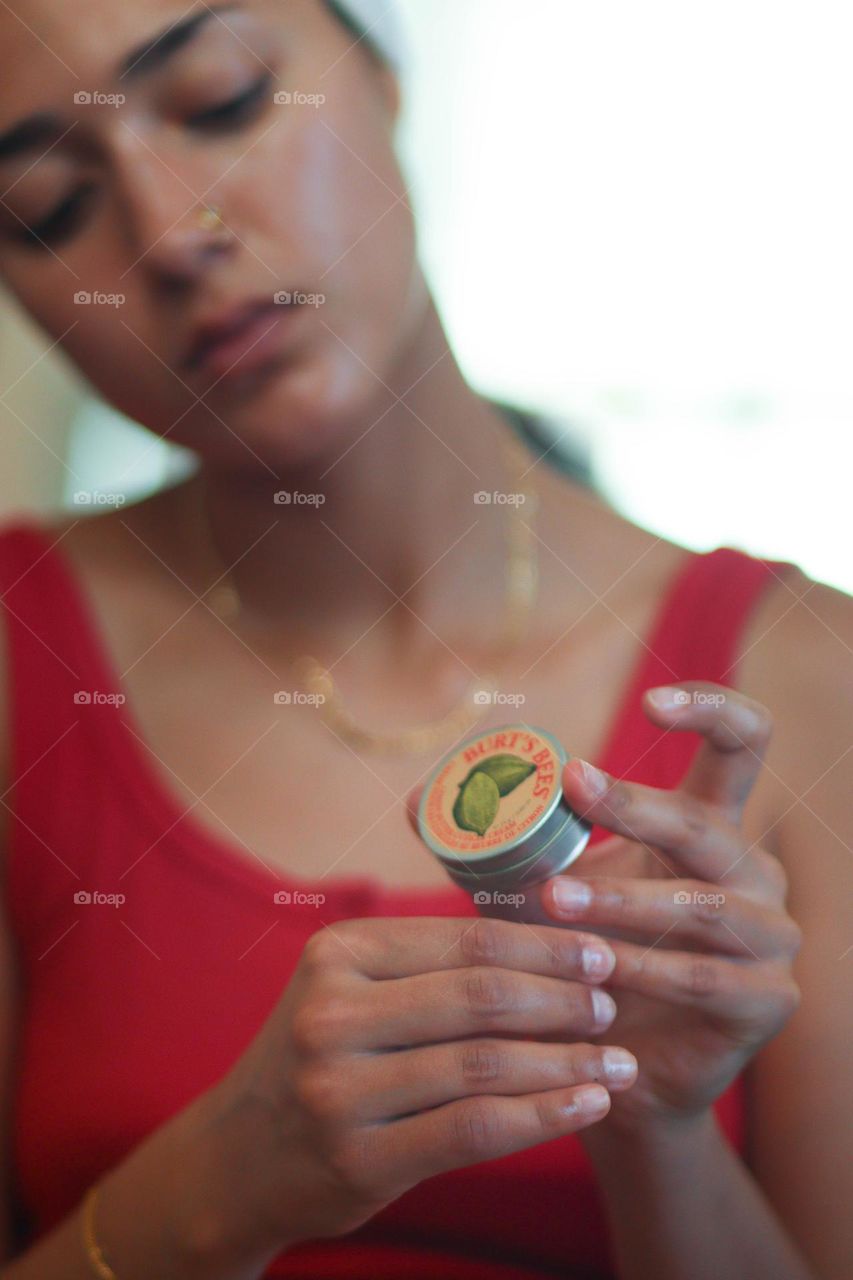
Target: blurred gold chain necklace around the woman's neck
{"points": [[522, 582]]}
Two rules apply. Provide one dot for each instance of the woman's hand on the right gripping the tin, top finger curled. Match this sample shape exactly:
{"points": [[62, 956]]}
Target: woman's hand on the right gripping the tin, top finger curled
{"points": [[694, 912]]}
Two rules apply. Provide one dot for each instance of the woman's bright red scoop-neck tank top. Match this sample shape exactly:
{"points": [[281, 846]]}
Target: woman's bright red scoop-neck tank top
{"points": [[130, 1012]]}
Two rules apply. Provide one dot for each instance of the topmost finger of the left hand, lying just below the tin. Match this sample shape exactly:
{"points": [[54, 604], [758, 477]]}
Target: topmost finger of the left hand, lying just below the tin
{"points": [[414, 945]]}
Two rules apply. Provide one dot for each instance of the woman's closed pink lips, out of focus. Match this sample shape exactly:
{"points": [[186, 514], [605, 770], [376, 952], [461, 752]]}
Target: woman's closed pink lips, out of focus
{"points": [[240, 341]]}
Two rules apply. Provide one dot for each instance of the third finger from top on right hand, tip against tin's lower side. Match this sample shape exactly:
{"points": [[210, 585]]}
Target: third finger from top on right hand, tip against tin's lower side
{"points": [[690, 913]]}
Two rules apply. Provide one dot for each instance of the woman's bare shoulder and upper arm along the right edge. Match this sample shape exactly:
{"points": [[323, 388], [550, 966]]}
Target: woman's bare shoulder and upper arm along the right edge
{"points": [[799, 661]]}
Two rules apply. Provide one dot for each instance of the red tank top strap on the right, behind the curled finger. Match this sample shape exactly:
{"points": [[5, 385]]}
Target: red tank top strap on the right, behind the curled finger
{"points": [[696, 636]]}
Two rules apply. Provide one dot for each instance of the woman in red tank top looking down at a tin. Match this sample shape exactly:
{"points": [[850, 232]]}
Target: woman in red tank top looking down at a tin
{"points": [[249, 1027]]}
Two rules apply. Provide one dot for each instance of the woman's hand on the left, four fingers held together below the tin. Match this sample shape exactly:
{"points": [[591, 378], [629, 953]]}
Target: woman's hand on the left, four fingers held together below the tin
{"points": [[407, 1048]]}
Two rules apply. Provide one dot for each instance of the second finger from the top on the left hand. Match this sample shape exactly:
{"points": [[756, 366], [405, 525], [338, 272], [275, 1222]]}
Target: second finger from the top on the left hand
{"points": [[477, 1002]]}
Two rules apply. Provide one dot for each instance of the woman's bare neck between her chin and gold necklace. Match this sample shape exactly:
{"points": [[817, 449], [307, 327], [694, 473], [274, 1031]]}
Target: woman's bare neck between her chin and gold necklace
{"points": [[398, 557]]}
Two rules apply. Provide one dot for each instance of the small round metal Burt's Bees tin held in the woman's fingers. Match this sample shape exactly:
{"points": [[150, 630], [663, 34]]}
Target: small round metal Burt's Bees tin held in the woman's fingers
{"points": [[495, 816]]}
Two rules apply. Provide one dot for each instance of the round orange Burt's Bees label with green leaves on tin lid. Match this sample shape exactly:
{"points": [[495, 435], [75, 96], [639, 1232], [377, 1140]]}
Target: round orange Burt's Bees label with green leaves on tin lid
{"points": [[494, 792]]}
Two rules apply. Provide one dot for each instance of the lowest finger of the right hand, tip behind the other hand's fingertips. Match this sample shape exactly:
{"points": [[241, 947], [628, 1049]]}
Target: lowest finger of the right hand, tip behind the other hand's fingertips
{"points": [[745, 995]]}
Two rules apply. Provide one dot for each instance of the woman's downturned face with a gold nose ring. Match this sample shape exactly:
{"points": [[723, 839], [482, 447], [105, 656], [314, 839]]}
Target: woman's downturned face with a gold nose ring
{"points": [[268, 112]]}
